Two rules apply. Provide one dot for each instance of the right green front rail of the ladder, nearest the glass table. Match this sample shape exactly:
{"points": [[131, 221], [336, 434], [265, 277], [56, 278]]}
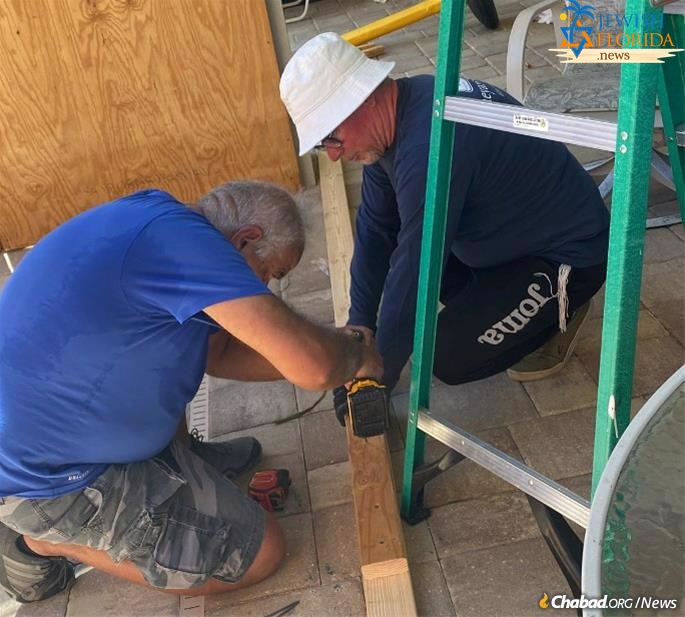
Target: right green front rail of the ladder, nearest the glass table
{"points": [[637, 99]]}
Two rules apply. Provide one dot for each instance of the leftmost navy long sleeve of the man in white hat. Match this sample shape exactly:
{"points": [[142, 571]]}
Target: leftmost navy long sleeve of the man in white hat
{"points": [[377, 226]]}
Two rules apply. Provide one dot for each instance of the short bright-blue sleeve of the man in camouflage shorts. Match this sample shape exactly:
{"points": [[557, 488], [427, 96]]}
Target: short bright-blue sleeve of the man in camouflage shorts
{"points": [[179, 264]]}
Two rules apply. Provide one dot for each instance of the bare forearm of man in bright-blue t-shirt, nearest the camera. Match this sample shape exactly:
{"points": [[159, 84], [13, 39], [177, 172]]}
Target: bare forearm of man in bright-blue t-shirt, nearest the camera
{"points": [[310, 356]]}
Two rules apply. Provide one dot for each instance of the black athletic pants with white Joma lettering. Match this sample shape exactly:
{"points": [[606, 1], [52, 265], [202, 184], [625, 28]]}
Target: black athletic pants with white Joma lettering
{"points": [[493, 317]]}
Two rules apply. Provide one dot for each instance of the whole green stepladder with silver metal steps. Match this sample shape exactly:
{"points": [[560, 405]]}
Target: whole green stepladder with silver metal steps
{"points": [[631, 139]]}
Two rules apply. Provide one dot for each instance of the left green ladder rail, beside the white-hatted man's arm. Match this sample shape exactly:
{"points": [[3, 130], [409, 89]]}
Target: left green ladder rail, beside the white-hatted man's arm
{"points": [[433, 239]]}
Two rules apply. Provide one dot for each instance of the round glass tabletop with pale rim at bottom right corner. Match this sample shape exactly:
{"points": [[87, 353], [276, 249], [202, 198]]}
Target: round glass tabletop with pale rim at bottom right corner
{"points": [[635, 546]]}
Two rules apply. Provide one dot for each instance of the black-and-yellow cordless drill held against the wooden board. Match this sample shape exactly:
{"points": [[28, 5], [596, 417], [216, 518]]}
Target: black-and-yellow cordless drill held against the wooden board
{"points": [[367, 403]]}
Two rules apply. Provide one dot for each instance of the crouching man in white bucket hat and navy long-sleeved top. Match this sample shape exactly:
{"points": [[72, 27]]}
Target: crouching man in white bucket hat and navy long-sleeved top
{"points": [[526, 236]]}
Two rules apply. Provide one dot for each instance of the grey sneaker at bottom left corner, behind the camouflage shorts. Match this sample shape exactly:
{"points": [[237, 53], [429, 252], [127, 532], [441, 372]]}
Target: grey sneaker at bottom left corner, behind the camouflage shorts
{"points": [[28, 578]]}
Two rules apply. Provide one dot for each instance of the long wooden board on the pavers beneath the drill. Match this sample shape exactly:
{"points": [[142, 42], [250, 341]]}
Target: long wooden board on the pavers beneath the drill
{"points": [[385, 573]]}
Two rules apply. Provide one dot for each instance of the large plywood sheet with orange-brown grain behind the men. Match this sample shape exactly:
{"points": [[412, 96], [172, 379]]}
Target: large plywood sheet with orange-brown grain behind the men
{"points": [[99, 98]]}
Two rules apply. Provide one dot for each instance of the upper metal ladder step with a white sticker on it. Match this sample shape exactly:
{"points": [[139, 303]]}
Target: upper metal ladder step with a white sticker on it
{"points": [[523, 121]]}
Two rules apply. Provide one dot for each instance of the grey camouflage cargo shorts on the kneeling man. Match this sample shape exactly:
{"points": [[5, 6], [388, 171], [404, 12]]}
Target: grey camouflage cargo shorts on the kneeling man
{"points": [[175, 517]]}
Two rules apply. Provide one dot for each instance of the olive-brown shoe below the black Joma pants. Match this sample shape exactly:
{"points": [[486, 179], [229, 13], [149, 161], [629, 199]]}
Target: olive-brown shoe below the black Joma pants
{"points": [[551, 357]]}
